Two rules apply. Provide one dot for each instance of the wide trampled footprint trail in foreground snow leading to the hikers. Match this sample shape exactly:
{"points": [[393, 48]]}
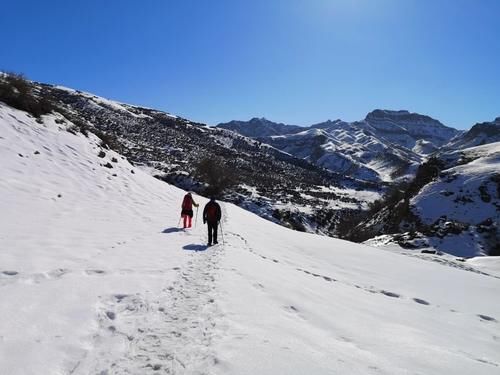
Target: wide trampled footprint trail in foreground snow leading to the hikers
{"points": [[169, 333]]}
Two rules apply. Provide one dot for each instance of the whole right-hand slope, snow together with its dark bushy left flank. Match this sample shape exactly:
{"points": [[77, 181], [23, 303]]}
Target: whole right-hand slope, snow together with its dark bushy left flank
{"points": [[457, 211]]}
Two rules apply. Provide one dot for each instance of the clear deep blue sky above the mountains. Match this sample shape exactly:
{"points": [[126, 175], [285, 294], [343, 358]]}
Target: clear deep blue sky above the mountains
{"points": [[293, 61]]}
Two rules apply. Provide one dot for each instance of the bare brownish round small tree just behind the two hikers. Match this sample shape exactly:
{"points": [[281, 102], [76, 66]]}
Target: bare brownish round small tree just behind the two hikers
{"points": [[218, 175]]}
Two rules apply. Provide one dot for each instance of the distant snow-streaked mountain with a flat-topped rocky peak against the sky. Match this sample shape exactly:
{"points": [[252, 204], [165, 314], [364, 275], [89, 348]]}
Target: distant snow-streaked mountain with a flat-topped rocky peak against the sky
{"points": [[384, 146]]}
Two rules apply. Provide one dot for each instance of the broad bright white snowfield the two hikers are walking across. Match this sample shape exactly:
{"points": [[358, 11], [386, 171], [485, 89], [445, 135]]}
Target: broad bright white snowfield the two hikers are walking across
{"points": [[96, 278]]}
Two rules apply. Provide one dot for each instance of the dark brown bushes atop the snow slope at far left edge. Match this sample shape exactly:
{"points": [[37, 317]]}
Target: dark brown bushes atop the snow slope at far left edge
{"points": [[17, 92]]}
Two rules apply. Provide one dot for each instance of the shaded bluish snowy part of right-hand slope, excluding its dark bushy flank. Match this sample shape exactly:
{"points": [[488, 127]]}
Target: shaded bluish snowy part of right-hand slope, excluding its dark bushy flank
{"points": [[464, 202]]}
